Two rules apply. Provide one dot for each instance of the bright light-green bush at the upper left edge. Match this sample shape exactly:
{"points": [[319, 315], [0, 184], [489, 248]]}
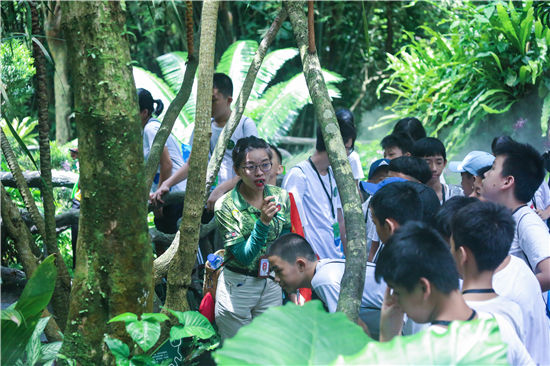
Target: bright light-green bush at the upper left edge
{"points": [[16, 70]]}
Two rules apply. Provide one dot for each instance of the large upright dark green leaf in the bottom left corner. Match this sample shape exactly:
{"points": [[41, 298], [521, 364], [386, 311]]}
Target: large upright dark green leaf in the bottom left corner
{"points": [[34, 299]]}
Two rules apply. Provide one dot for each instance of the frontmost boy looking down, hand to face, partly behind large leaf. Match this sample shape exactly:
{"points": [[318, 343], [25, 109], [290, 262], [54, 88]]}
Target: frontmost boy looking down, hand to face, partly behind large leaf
{"points": [[422, 282]]}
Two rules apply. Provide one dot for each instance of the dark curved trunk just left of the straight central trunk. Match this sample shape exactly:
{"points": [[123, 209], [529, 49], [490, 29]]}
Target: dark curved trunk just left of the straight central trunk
{"points": [[169, 118]]}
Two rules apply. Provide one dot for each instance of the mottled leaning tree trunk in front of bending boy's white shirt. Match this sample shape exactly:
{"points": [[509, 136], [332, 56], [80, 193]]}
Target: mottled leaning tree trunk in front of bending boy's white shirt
{"points": [[351, 288]]}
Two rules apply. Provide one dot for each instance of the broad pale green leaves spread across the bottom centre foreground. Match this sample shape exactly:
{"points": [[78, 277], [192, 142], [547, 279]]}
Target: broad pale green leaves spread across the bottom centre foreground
{"points": [[309, 335]]}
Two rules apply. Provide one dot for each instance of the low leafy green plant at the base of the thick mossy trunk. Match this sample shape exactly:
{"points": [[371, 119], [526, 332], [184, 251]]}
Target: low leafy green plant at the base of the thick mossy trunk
{"points": [[146, 332]]}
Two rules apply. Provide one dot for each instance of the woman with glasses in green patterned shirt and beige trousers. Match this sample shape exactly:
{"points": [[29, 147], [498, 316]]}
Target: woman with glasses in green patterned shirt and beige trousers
{"points": [[249, 218]]}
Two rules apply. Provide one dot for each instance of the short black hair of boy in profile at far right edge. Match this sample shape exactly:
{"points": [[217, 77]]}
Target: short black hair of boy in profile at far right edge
{"points": [[525, 164]]}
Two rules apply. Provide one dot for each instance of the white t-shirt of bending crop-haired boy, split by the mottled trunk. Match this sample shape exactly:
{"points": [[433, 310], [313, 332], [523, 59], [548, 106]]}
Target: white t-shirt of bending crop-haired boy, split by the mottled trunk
{"points": [[326, 284]]}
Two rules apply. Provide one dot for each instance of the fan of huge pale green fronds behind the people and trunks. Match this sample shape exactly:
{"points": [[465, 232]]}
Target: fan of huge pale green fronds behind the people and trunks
{"points": [[273, 106]]}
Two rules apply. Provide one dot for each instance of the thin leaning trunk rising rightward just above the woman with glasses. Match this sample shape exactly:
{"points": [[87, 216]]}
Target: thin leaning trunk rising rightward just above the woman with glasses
{"points": [[236, 114]]}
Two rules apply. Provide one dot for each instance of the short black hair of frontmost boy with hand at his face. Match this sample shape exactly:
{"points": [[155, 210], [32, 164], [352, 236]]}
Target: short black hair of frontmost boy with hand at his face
{"points": [[414, 251]]}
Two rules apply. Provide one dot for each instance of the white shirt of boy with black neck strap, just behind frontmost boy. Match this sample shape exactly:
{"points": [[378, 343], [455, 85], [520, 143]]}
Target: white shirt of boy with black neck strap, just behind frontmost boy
{"points": [[504, 307]]}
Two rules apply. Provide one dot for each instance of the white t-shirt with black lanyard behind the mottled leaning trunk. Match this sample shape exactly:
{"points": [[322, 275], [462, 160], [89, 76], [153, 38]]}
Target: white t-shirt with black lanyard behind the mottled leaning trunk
{"points": [[314, 206]]}
